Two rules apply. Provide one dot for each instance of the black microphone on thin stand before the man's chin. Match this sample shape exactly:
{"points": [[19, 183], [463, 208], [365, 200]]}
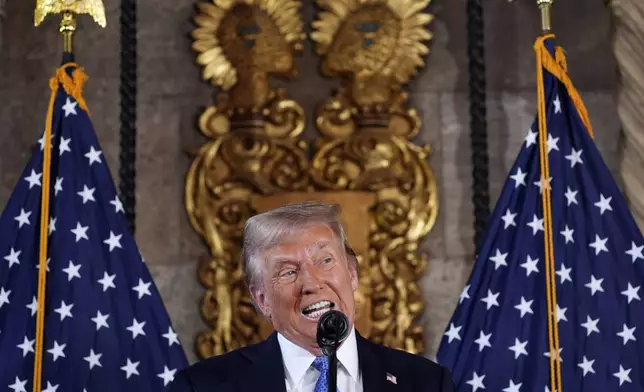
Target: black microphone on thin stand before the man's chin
{"points": [[333, 329]]}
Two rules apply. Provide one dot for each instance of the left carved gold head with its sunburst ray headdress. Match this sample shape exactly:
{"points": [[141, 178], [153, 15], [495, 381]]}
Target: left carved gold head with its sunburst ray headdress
{"points": [[240, 41]]}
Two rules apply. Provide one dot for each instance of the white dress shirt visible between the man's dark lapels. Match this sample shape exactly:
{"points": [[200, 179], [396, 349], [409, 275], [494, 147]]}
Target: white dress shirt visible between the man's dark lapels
{"points": [[301, 376]]}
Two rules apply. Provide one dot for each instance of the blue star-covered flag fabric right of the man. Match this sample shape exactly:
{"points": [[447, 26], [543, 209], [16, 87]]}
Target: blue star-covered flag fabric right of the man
{"points": [[497, 339]]}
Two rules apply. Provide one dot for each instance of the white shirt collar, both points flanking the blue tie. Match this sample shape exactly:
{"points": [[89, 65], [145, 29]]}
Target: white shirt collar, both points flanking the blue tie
{"points": [[297, 360]]}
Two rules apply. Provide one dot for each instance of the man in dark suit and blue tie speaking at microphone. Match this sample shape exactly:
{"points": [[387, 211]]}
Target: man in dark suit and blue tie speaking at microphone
{"points": [[298, 265]]}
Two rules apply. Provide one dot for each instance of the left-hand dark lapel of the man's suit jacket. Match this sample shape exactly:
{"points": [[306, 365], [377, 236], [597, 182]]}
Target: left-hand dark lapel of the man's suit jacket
{"points": [[267, 371]]}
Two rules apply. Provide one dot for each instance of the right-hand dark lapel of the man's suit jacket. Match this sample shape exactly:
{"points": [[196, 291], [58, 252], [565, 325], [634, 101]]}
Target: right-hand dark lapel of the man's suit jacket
{"points": [[374, 369]]}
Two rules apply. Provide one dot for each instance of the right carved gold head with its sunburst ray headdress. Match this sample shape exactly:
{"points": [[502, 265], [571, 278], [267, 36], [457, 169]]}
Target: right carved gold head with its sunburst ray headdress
{"points": [[377, 45]]}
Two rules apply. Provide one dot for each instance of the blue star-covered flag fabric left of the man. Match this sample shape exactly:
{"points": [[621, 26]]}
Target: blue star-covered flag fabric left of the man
{"points": [[106, 328]]}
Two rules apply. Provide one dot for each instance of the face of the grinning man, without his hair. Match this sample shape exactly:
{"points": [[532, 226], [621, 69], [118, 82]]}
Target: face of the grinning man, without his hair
{"points": [[303, 277]]}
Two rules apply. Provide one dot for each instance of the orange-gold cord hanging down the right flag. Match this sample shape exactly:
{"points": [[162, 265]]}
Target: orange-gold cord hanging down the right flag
{"points": [[551, 284]]}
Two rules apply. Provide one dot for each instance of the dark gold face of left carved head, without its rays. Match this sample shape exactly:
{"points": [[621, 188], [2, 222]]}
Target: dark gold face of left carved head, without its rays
{"points": [[252, 42]]}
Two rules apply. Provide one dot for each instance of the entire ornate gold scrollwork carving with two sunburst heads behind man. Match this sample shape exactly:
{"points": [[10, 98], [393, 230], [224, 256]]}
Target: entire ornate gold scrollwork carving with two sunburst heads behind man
{"points": [[256, 160]]}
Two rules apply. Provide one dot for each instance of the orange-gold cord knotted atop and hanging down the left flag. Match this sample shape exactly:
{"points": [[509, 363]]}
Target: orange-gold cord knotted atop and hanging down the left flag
{"points": [[73, 86]]}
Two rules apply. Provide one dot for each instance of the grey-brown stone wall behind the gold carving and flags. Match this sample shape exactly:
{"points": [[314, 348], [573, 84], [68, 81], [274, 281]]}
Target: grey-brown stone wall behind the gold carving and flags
{"points": [[171, 96]]}
